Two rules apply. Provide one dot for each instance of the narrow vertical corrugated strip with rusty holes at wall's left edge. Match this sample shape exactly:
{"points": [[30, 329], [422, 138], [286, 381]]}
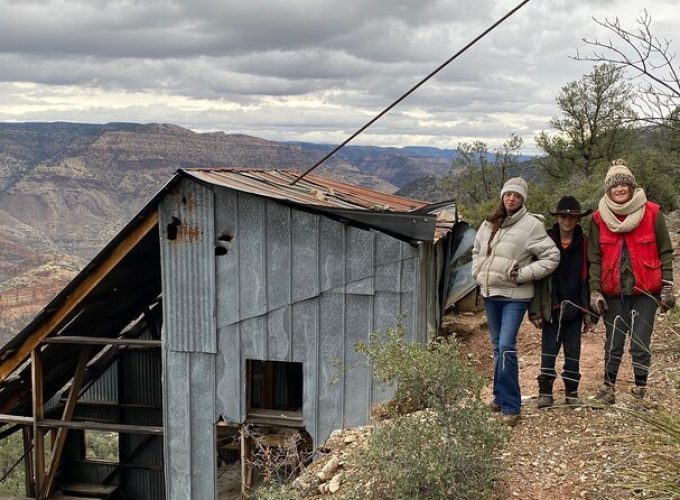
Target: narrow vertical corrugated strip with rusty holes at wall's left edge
{"points": [[190, 341]]}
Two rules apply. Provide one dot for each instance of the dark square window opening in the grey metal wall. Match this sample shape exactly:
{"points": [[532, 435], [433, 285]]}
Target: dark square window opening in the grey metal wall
{"points": [[274, 385]]}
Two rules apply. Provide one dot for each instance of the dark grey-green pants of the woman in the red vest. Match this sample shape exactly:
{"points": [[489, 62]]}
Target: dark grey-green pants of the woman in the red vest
{"points": [[634, 315]]}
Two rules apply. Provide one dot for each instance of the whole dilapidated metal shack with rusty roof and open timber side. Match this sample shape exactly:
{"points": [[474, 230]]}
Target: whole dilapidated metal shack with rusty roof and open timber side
{"points": [[231, 298]]}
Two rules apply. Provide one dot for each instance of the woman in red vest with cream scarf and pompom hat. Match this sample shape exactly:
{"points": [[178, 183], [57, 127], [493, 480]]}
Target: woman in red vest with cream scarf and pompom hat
{"points": [[630, 261]]}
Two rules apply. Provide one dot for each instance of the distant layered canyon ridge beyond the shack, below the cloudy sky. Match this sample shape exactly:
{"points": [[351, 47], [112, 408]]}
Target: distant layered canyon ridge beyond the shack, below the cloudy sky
{"points": [[66, 188]]}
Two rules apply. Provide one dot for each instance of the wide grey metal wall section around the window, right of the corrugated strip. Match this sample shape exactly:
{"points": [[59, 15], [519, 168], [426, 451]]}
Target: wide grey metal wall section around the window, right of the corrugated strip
{"points": [[301, 287]]}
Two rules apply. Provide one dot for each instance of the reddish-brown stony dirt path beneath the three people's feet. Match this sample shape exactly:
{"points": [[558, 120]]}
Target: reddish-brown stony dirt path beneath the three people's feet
{"points": [[565, 453]]}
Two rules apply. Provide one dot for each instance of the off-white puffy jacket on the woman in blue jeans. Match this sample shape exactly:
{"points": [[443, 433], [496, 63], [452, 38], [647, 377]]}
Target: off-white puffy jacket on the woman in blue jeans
{"points": [[521, 243]]}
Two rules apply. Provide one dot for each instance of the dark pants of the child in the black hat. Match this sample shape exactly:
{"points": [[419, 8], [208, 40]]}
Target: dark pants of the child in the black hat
{"points": [[568, 336]]}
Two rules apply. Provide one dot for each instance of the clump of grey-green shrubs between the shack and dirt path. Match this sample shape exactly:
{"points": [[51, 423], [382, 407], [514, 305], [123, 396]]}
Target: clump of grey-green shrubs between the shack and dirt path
{"points": [[447, 449]]}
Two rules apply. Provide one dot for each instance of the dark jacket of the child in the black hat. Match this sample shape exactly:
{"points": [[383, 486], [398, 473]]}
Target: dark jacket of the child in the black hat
{"points": [[568, 285]]}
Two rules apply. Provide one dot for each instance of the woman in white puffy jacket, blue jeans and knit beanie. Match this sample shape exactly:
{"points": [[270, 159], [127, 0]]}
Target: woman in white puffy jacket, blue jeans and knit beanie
{"points": [[512, 249]]}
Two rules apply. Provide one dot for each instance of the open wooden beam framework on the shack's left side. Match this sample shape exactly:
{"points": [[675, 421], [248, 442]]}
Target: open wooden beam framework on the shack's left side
{"points": [[41, 468]]}
